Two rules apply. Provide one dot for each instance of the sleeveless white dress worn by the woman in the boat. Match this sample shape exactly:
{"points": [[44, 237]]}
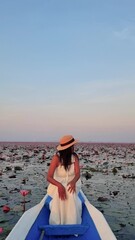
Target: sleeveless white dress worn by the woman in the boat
{"points": [[65, 211]]}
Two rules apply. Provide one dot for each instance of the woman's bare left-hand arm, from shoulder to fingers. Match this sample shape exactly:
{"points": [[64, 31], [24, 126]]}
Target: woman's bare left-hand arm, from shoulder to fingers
{"points": [[50, 177]]}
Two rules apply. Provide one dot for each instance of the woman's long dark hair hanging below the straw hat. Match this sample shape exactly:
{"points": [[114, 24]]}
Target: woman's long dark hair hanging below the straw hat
{"points": [[65, 157]]}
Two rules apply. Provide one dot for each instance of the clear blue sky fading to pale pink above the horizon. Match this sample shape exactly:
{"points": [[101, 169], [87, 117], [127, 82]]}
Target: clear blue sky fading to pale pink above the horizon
{"points": [[67, 67]]}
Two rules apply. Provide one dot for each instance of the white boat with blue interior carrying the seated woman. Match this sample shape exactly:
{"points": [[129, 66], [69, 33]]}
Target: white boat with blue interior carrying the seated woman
{"points": [[34, 224]]}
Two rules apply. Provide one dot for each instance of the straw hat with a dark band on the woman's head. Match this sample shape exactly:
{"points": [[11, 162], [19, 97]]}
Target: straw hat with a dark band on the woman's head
{"points": [[66, 142]]}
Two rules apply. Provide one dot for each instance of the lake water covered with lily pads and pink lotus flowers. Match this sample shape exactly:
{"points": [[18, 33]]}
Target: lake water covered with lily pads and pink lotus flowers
{"points": [[107, 173]]}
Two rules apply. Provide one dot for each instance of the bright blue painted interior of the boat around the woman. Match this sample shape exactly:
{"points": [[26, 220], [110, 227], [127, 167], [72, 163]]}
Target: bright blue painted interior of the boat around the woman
{"points": [[42, 230]]}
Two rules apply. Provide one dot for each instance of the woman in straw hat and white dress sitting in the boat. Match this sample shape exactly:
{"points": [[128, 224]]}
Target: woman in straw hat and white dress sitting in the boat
{"points": [[64, 178]]}
